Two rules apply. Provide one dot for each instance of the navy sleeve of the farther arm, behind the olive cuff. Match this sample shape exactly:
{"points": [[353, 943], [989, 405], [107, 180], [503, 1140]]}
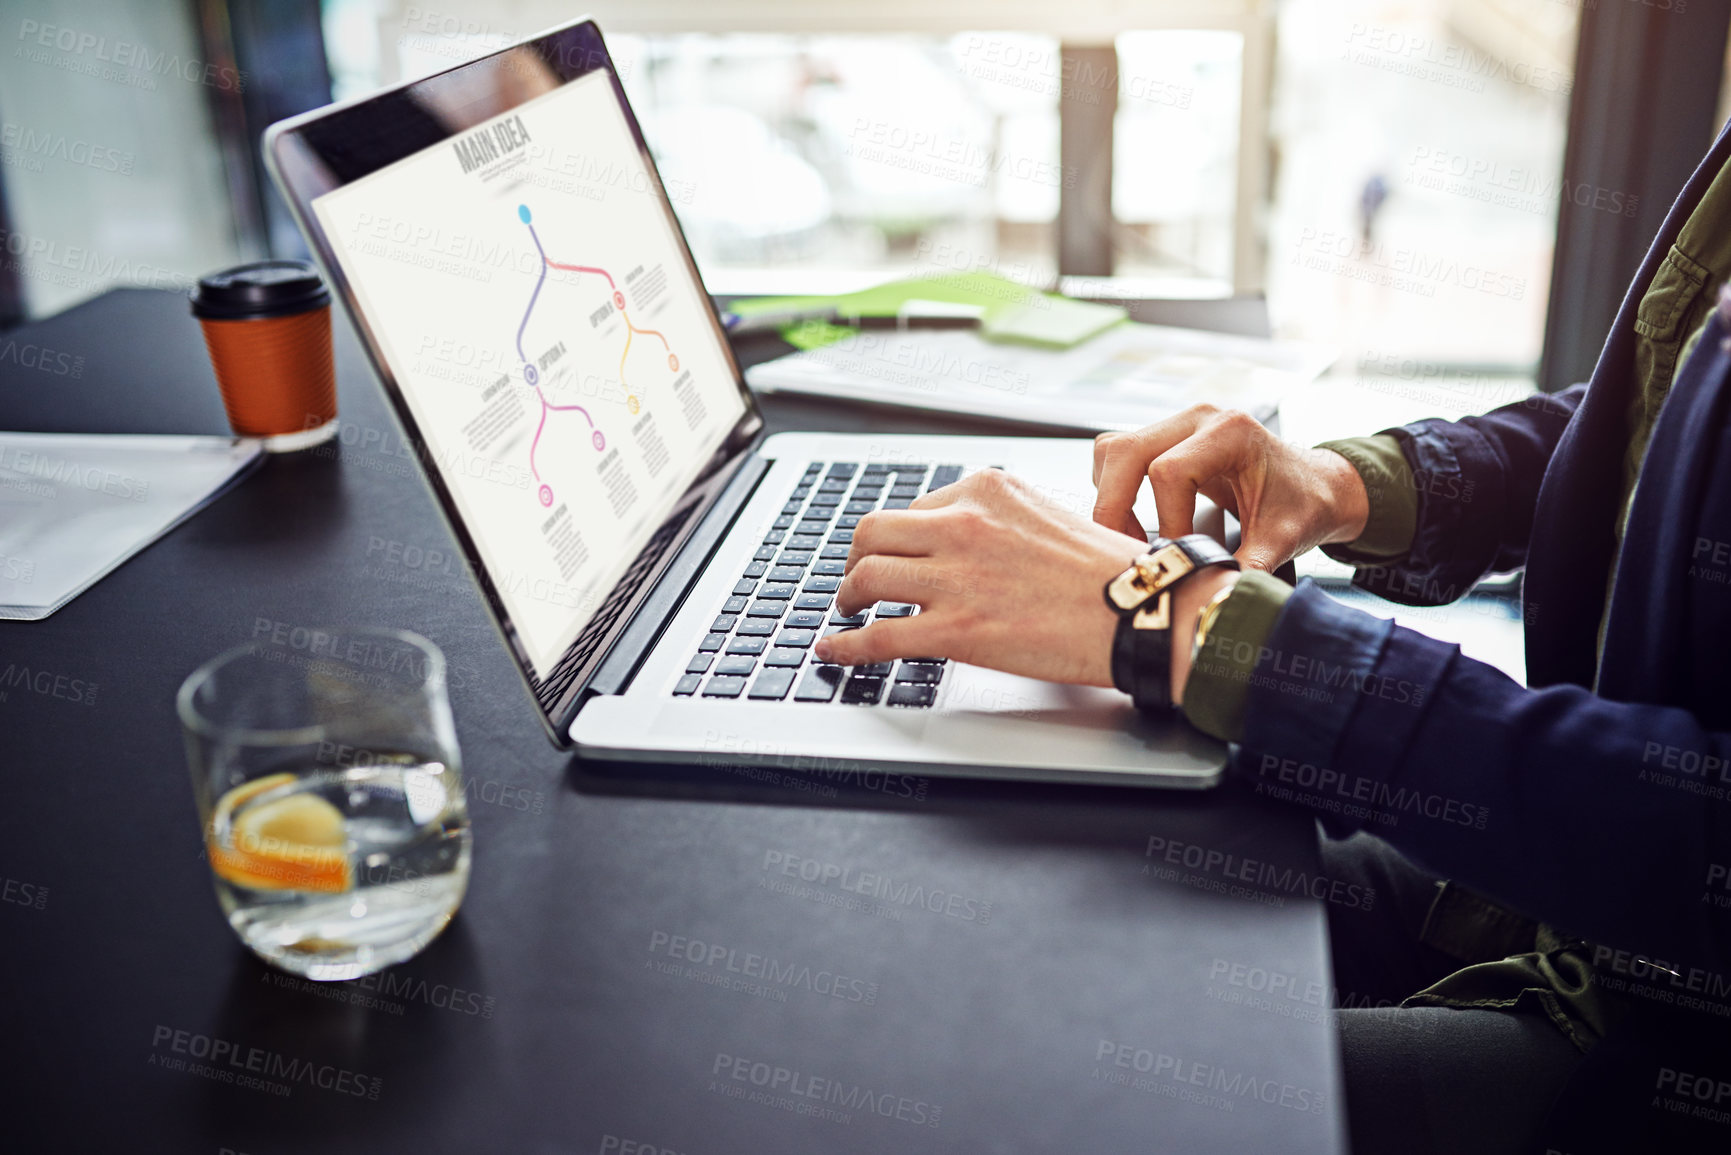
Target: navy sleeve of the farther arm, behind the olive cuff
{"points": [[1477, 487]]}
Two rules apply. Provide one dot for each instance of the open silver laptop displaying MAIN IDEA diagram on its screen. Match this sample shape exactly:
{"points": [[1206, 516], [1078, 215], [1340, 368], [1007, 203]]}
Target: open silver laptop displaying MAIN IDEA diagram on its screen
{"points": [[655, 564]]}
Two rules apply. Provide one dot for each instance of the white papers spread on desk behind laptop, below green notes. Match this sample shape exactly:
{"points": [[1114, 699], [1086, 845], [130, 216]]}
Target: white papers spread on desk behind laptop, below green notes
{"points": [[1123, 380]]}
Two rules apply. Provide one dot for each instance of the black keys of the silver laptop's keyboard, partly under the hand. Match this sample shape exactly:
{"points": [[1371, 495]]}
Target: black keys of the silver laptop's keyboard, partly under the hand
{"points": [[759, 647]]}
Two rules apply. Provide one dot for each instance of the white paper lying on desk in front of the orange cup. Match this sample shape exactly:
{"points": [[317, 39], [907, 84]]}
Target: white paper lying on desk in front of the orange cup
{"points": [[74, 507]]}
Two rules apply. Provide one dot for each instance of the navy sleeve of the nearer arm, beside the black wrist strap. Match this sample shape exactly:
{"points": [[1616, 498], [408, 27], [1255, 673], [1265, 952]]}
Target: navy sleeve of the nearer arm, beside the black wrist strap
{"points": [[1580, 811]]}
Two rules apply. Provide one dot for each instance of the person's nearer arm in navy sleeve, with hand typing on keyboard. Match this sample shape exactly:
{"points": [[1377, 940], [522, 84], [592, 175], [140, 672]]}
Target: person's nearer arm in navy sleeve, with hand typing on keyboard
{"points": [[1348, 714]]}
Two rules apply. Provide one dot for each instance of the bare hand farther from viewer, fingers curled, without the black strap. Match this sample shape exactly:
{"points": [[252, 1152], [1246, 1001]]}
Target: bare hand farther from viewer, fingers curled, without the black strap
{"points": [[1287, 500]]}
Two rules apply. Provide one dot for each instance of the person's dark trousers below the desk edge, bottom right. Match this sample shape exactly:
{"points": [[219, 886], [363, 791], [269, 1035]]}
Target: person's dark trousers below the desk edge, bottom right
{"points": [[1427, 1081]]}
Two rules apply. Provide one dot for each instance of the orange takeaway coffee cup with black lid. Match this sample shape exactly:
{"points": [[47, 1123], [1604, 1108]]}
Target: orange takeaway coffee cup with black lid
{"points": [[267, 328]]}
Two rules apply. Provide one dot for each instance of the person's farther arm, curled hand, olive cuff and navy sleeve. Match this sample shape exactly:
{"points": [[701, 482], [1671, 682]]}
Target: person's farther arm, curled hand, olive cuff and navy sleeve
{"points": [[1469, 491]]}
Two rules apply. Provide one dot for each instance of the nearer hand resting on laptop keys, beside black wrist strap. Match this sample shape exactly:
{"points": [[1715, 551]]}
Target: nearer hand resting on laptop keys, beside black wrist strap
{"points": [[1003, 579]]}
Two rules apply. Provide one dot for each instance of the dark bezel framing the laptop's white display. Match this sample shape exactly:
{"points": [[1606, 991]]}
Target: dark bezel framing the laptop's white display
{"points": [[330, 148]]}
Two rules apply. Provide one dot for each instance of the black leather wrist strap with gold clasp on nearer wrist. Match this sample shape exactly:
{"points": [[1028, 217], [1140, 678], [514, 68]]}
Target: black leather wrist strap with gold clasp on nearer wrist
{"points": [[1142, 597]]}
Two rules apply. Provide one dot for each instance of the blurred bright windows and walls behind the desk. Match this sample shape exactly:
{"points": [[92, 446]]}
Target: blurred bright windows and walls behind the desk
{"points": [[1394, 176]]}
